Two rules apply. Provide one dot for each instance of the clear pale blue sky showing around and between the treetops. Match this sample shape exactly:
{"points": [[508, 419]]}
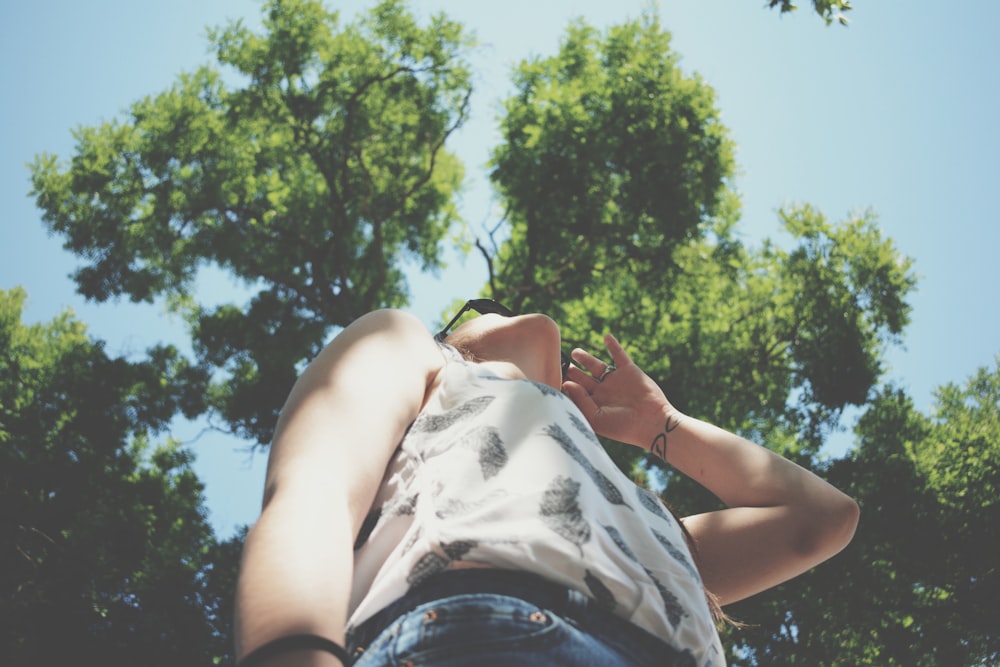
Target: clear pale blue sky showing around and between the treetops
{"points": [[897, 113]]}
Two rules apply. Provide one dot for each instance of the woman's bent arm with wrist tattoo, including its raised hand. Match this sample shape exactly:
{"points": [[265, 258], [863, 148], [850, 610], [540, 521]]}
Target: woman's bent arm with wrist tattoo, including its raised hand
{"points": [[782, 519]]}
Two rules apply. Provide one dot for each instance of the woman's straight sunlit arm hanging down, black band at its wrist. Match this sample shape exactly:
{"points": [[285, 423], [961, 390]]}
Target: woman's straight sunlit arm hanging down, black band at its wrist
{"points": [[336, 433]]}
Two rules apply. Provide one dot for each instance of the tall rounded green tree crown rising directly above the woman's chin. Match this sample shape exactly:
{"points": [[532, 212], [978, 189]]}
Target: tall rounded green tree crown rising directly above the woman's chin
{"points": [[610, 157]]}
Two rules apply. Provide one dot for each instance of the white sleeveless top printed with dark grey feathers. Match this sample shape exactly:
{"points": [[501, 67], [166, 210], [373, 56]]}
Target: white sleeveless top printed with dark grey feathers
{"points": [[508, 473]]}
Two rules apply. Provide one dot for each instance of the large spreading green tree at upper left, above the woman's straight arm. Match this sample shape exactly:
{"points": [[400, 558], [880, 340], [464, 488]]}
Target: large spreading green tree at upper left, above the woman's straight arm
{"points": [[313, 179]]}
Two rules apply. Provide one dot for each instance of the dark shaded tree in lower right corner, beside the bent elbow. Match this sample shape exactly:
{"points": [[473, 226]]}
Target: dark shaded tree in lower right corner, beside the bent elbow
{"points": [[918, 584]]}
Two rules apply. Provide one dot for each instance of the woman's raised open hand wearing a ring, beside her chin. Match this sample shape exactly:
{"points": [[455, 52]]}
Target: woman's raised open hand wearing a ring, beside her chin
{"points": [[626, 405]]}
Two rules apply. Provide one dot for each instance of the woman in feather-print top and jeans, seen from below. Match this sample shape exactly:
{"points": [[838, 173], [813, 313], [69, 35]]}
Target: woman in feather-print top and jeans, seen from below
{"points": [[448, 504]]}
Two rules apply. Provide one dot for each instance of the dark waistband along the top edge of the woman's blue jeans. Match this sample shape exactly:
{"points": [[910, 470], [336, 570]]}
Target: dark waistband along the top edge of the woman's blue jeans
{"points": [[568, 603]]}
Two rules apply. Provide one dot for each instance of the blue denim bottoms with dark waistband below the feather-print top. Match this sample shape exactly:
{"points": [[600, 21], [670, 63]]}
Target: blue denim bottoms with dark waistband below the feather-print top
{"points": [[499, 618]]}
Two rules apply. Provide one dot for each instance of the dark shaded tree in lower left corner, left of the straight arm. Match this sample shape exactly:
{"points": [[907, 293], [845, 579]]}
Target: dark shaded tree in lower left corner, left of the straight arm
{"points": [[108, 557]]}
